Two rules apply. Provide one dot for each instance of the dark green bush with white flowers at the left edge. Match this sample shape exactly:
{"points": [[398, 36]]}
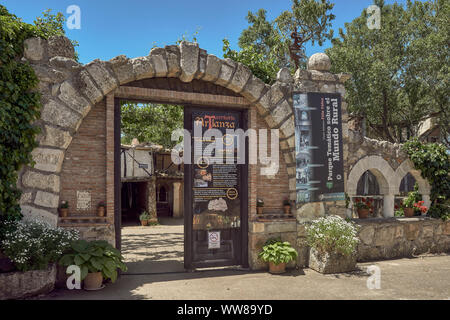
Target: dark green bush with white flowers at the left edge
{"points": [[33, 245]]}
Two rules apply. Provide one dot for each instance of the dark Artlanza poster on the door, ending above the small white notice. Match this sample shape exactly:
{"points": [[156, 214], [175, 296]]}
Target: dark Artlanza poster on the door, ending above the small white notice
{"points": [[216, 201]]}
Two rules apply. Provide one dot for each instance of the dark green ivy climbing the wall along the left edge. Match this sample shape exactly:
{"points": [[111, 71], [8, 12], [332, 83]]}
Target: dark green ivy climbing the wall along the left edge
{"points": [[19, 104]]}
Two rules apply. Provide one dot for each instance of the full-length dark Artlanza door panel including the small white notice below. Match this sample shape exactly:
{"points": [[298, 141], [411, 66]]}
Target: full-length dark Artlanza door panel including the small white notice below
{"points": [[216, 186]]}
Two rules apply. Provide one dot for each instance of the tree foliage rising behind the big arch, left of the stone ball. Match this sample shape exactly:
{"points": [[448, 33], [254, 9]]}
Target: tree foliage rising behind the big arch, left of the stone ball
{"points": [[264, 45]]}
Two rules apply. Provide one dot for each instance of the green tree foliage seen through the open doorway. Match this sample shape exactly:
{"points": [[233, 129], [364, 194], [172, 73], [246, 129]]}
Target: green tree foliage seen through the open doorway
{"points": [[150, 122]]}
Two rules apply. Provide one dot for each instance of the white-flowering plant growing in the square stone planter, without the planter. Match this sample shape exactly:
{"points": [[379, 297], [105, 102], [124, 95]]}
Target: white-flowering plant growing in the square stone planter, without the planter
{"points": [[333, 234]]}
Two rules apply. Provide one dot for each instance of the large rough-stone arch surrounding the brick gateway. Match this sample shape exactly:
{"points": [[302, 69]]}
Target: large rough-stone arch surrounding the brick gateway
{"points": [[69, 91]]}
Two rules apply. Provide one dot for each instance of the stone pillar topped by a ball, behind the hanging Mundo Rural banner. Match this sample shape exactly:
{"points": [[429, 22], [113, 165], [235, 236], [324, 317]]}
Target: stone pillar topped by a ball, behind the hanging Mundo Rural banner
{"points": [[318, 78]]}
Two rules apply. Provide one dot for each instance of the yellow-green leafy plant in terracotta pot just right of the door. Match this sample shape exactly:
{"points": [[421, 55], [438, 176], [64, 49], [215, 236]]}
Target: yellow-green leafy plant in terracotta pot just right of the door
{"points": [[277, 253]]}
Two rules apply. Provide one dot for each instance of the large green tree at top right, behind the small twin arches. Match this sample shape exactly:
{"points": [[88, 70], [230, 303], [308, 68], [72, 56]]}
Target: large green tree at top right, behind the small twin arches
{"points": [[400, 73]]}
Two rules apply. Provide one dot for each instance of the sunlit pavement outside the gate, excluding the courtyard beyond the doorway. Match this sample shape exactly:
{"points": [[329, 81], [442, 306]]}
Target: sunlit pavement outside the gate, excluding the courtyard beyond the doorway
{"points": [[418, 278]]}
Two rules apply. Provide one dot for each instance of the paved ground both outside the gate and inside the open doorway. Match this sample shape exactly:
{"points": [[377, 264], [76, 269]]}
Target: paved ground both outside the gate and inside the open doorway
{"points": [[159, 249]]}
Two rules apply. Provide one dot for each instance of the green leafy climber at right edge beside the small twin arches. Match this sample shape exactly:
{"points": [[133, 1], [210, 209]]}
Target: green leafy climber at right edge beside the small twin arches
{"points": [[433, 161]]}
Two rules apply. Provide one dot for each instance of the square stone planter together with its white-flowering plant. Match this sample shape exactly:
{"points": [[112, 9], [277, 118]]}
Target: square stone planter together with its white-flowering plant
{"points": [[333, 244]]}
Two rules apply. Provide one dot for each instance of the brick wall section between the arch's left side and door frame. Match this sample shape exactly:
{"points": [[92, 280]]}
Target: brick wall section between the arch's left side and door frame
{"points": [[84, 167]]}
